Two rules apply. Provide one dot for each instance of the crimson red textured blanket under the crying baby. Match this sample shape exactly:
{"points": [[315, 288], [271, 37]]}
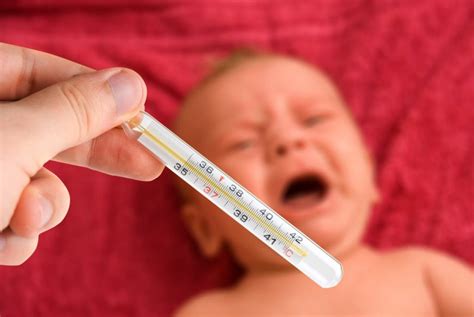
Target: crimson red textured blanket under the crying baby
{"points": [[405, 67]]}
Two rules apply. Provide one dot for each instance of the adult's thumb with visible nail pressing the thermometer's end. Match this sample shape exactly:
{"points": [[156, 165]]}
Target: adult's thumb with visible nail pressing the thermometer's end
{"points": [[71, 112]]}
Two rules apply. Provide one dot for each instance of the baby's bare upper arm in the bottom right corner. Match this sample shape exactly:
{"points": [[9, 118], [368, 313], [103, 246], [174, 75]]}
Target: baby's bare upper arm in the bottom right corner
{"points": [[452, 284]]}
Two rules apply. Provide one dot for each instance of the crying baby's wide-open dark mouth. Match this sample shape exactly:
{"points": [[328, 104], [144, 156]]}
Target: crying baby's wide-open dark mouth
{"points": [[305, 191]]}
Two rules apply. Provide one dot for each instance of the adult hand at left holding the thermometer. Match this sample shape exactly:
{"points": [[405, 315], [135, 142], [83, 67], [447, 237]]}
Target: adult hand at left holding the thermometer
{"points": [[52, 108]]}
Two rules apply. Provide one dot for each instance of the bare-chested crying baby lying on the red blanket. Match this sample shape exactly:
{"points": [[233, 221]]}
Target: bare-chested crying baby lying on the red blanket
{"points": [[281, 128]]}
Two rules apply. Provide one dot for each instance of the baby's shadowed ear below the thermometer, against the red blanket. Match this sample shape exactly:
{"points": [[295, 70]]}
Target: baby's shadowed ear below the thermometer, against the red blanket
{"points": [[203, 229]]}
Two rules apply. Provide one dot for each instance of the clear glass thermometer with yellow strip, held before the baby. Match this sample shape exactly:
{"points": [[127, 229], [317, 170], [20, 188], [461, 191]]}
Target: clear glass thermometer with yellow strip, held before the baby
{"points": [[236, 201]]}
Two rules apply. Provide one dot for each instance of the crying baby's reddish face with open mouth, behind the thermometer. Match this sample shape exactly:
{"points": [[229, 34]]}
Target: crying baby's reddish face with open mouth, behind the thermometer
{"points": [[281, 129]]}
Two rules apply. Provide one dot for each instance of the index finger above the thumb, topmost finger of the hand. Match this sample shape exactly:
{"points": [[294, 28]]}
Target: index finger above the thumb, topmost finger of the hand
{"points": [[25, 71]]}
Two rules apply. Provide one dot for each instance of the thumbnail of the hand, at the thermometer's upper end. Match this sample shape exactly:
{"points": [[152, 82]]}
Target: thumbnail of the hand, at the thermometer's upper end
{"points": [[127, 91]]}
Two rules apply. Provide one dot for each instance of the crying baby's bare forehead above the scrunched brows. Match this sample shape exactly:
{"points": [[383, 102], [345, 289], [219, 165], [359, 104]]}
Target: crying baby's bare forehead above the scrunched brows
{"points": [[253, 85]]}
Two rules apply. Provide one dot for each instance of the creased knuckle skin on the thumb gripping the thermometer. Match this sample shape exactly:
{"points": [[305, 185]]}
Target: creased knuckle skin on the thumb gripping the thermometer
{"points": [[77, 103]]}
